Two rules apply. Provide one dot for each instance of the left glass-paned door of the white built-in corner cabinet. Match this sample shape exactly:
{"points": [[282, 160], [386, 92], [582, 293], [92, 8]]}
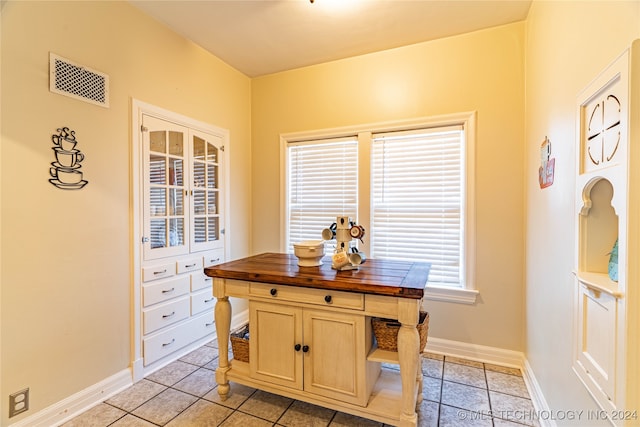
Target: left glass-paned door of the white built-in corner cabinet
{"points": [[165, 212]]}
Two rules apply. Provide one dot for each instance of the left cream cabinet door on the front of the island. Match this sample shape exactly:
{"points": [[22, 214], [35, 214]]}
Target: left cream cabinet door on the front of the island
{"points": [[275, 343]]}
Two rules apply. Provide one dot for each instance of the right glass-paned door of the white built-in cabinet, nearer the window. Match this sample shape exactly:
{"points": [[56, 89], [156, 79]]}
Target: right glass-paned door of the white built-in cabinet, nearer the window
{"points": [[206, 188]]}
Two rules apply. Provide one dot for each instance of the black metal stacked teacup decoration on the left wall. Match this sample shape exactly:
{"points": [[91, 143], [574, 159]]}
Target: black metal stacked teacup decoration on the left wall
{"points": [[65, 171]]}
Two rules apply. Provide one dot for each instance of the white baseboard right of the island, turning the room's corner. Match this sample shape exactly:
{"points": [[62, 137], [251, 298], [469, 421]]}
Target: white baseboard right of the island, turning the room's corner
{"points": [[496, 356]]}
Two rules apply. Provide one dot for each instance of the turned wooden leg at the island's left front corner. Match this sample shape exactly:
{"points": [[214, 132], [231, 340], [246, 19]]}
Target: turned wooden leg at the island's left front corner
{"points": [[223, 324]]}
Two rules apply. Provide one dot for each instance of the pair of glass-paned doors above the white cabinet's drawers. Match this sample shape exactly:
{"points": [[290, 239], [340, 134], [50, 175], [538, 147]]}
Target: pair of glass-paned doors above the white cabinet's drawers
{"points": [[182, 189]]}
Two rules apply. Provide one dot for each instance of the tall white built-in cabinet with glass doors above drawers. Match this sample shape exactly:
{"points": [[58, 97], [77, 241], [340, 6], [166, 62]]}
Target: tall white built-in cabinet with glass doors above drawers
{"points": [[180, 228]]}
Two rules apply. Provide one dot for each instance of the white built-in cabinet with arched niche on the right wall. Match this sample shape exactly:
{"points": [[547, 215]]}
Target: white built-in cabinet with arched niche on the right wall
{"points": [[606, 346]]}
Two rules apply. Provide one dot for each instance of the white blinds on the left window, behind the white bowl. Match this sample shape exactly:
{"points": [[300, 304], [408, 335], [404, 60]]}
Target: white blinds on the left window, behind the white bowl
{"points": [[322, 184]]}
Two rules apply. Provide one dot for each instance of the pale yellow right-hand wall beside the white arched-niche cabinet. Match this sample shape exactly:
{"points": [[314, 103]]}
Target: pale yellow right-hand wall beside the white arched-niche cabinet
{"points": [[568, 44]]}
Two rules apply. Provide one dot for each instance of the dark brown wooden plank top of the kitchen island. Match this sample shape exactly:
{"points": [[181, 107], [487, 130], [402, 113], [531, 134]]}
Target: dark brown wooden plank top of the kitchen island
{"points": [[375, 276]]}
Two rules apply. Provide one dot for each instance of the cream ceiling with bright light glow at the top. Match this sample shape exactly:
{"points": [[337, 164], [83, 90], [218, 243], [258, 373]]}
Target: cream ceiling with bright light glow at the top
{"points": [[267, 36]]}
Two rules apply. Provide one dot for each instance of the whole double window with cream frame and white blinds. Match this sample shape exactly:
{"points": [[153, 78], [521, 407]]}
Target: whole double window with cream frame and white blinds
{"points": [[410, 185]]}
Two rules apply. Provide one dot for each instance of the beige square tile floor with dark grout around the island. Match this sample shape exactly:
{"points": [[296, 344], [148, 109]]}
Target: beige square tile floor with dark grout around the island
{"points": [[456, 392]]}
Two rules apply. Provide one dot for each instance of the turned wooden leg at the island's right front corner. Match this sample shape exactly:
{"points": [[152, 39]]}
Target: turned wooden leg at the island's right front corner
{"points": [[408, 355]]}
